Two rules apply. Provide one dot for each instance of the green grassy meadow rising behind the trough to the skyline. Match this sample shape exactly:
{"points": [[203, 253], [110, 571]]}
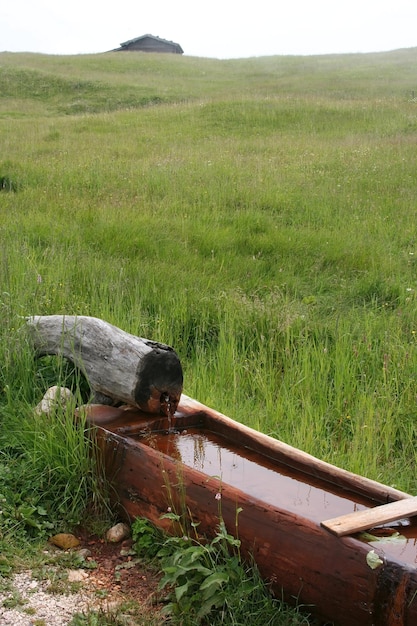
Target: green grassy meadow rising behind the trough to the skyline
{"points": [[258, 215]]}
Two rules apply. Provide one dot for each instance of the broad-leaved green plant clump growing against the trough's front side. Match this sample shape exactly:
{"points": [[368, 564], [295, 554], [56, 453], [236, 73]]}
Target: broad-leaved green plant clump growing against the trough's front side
{"points": [[208, 582]]}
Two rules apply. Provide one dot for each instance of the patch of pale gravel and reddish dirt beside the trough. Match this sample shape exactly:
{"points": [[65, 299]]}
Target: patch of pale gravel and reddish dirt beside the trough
{"points": [[111, 580]]}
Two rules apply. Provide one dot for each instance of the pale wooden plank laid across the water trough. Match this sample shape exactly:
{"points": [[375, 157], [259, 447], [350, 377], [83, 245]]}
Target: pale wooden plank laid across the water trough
{"points": [[364, 520]]}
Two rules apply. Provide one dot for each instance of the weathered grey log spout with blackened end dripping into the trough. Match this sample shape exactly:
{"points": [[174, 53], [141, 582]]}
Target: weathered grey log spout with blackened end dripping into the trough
{"points": [[118, 365]]}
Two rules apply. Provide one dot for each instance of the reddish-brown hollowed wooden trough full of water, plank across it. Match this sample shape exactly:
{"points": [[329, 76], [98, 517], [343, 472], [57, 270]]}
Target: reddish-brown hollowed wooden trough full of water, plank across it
{"points": [[301, 518]]}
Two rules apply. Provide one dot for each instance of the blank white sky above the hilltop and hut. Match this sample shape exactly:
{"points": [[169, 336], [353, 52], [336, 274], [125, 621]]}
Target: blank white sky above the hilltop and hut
{"points": [[215, 28]]}
